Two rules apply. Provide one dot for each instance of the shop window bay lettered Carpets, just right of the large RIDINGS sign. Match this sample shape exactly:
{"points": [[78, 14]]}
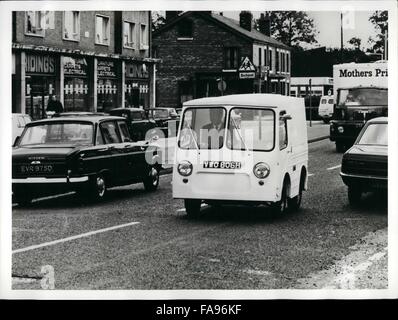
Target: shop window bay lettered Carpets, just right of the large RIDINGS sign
{"points": [[76, 84]]}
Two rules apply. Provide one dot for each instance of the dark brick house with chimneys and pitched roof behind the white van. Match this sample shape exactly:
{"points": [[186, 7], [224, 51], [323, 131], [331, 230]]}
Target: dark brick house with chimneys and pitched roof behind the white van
{"points": [[202, 53]]}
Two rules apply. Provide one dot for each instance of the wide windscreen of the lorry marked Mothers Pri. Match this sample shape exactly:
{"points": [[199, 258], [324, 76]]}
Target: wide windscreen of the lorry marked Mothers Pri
{"points": [[363, 97]]}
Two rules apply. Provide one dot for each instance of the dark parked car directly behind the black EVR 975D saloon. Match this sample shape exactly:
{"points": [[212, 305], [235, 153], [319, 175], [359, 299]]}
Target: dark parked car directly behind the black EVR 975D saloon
{"points": [[142, 127]]}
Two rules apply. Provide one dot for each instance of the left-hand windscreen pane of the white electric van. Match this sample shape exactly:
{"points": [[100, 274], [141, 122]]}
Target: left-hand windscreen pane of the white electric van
{"points": [[202, 128]]}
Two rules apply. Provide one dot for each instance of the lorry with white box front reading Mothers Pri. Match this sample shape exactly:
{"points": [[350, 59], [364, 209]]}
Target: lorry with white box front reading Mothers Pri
{"points": [[360, 94]]}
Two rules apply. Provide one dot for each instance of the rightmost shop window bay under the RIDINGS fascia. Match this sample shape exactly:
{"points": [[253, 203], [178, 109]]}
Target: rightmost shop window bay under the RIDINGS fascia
{"points": [[136, 86]]}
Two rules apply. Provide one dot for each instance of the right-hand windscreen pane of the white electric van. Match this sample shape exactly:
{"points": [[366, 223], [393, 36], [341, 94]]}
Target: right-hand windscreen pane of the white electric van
{"points": [[251, 129]]}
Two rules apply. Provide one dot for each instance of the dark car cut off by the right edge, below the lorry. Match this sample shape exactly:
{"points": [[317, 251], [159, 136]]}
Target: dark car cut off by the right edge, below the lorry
{"points": [[365, 165]]}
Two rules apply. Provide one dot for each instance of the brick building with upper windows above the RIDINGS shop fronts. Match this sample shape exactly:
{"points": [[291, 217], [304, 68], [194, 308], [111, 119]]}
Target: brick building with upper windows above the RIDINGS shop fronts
{"points": [[91, 60]]}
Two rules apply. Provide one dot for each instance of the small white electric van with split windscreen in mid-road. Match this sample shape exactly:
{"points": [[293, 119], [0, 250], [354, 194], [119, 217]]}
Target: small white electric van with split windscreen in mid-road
{"points": [[248, 148]]}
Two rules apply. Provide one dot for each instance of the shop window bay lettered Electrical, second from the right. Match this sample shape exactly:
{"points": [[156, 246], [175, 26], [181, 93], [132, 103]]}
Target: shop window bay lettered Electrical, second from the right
{"points": [[107, 85]]}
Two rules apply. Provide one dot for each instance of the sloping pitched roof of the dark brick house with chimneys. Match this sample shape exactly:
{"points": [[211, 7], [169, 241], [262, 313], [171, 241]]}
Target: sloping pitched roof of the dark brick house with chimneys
{"points": [[229, 24]]}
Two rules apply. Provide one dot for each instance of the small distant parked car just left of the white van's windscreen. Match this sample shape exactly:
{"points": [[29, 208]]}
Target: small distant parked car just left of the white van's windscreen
{"points": [[166, 119]]}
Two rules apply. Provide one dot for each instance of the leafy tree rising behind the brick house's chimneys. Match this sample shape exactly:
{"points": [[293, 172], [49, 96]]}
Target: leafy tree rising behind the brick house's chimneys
{"points": [[293, 28]]}
